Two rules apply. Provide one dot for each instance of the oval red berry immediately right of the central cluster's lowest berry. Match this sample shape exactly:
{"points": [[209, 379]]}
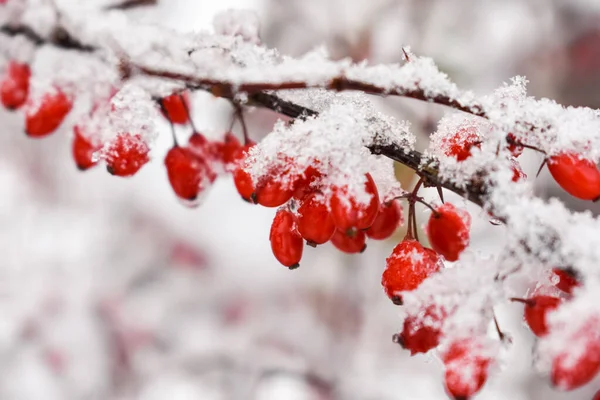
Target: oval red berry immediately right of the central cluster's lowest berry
{"points": [[314, 220]]}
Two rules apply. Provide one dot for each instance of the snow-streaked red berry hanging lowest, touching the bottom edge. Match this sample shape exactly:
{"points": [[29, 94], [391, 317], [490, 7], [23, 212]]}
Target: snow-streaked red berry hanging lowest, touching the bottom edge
{"points": [[466, 368]]}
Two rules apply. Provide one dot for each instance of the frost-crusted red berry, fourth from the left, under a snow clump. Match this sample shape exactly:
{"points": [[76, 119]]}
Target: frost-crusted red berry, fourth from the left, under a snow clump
{"points": [[126, 154]]}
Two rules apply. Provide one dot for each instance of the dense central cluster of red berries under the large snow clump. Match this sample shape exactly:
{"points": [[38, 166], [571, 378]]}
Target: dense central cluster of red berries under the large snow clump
{"points": [[310, 218]]}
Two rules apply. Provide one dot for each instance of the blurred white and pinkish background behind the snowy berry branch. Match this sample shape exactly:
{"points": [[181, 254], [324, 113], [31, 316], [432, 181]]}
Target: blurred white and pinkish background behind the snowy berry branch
{"points": [[112, 289]]}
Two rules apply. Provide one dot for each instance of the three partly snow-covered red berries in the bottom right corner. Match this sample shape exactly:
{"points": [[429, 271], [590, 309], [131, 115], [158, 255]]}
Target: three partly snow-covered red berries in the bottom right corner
{"points": [[567, 372]]}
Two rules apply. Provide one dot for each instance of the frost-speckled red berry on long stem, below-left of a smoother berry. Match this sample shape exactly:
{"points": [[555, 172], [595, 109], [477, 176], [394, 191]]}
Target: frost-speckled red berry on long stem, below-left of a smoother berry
{"points": [[409, 264]]}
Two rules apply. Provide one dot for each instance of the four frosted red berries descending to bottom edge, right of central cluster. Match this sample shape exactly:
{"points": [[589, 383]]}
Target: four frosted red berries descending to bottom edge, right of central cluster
{"points": [[409, 265]]}
